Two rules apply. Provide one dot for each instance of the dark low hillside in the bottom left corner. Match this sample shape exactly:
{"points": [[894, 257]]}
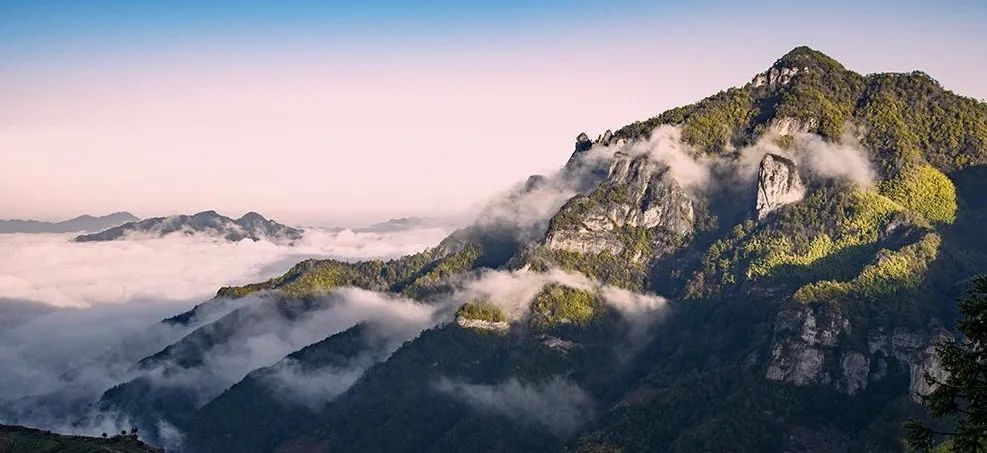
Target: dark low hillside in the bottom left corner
{"points": [[17, 439]]}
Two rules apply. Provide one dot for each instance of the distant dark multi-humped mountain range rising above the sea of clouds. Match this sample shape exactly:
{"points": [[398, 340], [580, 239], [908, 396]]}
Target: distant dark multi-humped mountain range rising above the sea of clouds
{"points": [[251, 226]]}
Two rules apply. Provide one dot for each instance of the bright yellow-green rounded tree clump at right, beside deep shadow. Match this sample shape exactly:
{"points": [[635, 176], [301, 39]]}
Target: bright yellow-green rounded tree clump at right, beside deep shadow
{"points": [[924, 190]]}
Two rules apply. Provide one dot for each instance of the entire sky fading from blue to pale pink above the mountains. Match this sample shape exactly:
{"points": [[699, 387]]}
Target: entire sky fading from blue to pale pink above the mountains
{"points": [[334, 113]]}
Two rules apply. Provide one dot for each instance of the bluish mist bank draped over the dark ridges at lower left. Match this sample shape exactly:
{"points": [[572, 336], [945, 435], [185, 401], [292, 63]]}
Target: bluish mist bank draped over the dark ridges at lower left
{"points": [[263, 331]]}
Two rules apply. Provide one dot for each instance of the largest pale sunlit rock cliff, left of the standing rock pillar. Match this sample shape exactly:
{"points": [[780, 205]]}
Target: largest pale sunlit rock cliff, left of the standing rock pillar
{"points": [[638, 192]]}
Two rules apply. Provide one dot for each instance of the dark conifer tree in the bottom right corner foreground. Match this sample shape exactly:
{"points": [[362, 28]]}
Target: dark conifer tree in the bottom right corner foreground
{"points": [[962, 396]]}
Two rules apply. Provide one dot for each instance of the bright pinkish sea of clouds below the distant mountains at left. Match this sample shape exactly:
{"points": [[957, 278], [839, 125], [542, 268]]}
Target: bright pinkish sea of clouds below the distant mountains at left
{"points": [[51, 269]]}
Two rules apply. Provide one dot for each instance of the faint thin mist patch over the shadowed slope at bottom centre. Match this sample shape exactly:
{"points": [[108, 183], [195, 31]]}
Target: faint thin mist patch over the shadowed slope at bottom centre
{"points": [[557, 404]]}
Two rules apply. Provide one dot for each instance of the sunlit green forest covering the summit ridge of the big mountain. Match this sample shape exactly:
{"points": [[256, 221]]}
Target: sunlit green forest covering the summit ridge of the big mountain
{"points": [[904, 117]]}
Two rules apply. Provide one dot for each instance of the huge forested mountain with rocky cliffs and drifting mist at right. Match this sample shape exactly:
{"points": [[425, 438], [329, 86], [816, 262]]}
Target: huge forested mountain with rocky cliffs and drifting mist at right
{"points": [[767, 269]]}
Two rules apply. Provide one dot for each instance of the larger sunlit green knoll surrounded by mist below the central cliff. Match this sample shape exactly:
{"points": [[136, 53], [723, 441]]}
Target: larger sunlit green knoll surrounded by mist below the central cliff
{"points": [[558, 305]]}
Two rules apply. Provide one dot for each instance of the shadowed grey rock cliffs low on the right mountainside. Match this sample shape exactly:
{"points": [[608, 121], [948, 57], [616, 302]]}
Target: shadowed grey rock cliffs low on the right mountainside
{"points": [[809, 350]]}
